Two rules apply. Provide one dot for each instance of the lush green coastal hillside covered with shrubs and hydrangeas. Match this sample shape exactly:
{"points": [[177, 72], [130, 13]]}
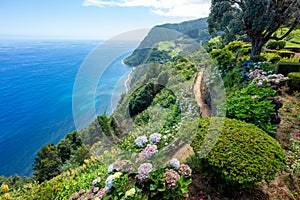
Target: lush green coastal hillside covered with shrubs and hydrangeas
{"points": [[128, 155]]}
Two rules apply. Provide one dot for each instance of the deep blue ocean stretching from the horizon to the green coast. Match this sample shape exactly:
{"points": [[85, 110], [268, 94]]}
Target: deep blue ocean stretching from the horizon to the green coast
{"points": [[36, 87]]}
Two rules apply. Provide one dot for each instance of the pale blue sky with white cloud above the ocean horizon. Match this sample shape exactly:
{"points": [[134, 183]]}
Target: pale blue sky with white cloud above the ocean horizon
{"points": [[91, 19]]}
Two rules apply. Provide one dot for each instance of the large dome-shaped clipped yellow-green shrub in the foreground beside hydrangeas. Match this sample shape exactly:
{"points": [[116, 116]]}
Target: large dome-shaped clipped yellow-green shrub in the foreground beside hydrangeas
{"points": [[243, 156]]}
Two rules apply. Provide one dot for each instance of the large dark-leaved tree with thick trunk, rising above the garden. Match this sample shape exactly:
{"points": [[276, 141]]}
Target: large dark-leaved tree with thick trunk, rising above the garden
{"points": [[259, 19]]}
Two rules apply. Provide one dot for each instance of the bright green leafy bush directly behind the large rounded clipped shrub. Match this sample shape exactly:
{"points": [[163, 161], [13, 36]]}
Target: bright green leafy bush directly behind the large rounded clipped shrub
{"points": [[252, 106]]}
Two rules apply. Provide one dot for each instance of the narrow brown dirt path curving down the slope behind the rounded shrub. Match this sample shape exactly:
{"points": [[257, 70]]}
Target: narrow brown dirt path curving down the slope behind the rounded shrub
{"points": [[205, 111]]}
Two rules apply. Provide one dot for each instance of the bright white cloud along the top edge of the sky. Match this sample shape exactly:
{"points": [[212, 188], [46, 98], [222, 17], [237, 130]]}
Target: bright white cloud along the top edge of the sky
{"points": [[173, 8]]}
